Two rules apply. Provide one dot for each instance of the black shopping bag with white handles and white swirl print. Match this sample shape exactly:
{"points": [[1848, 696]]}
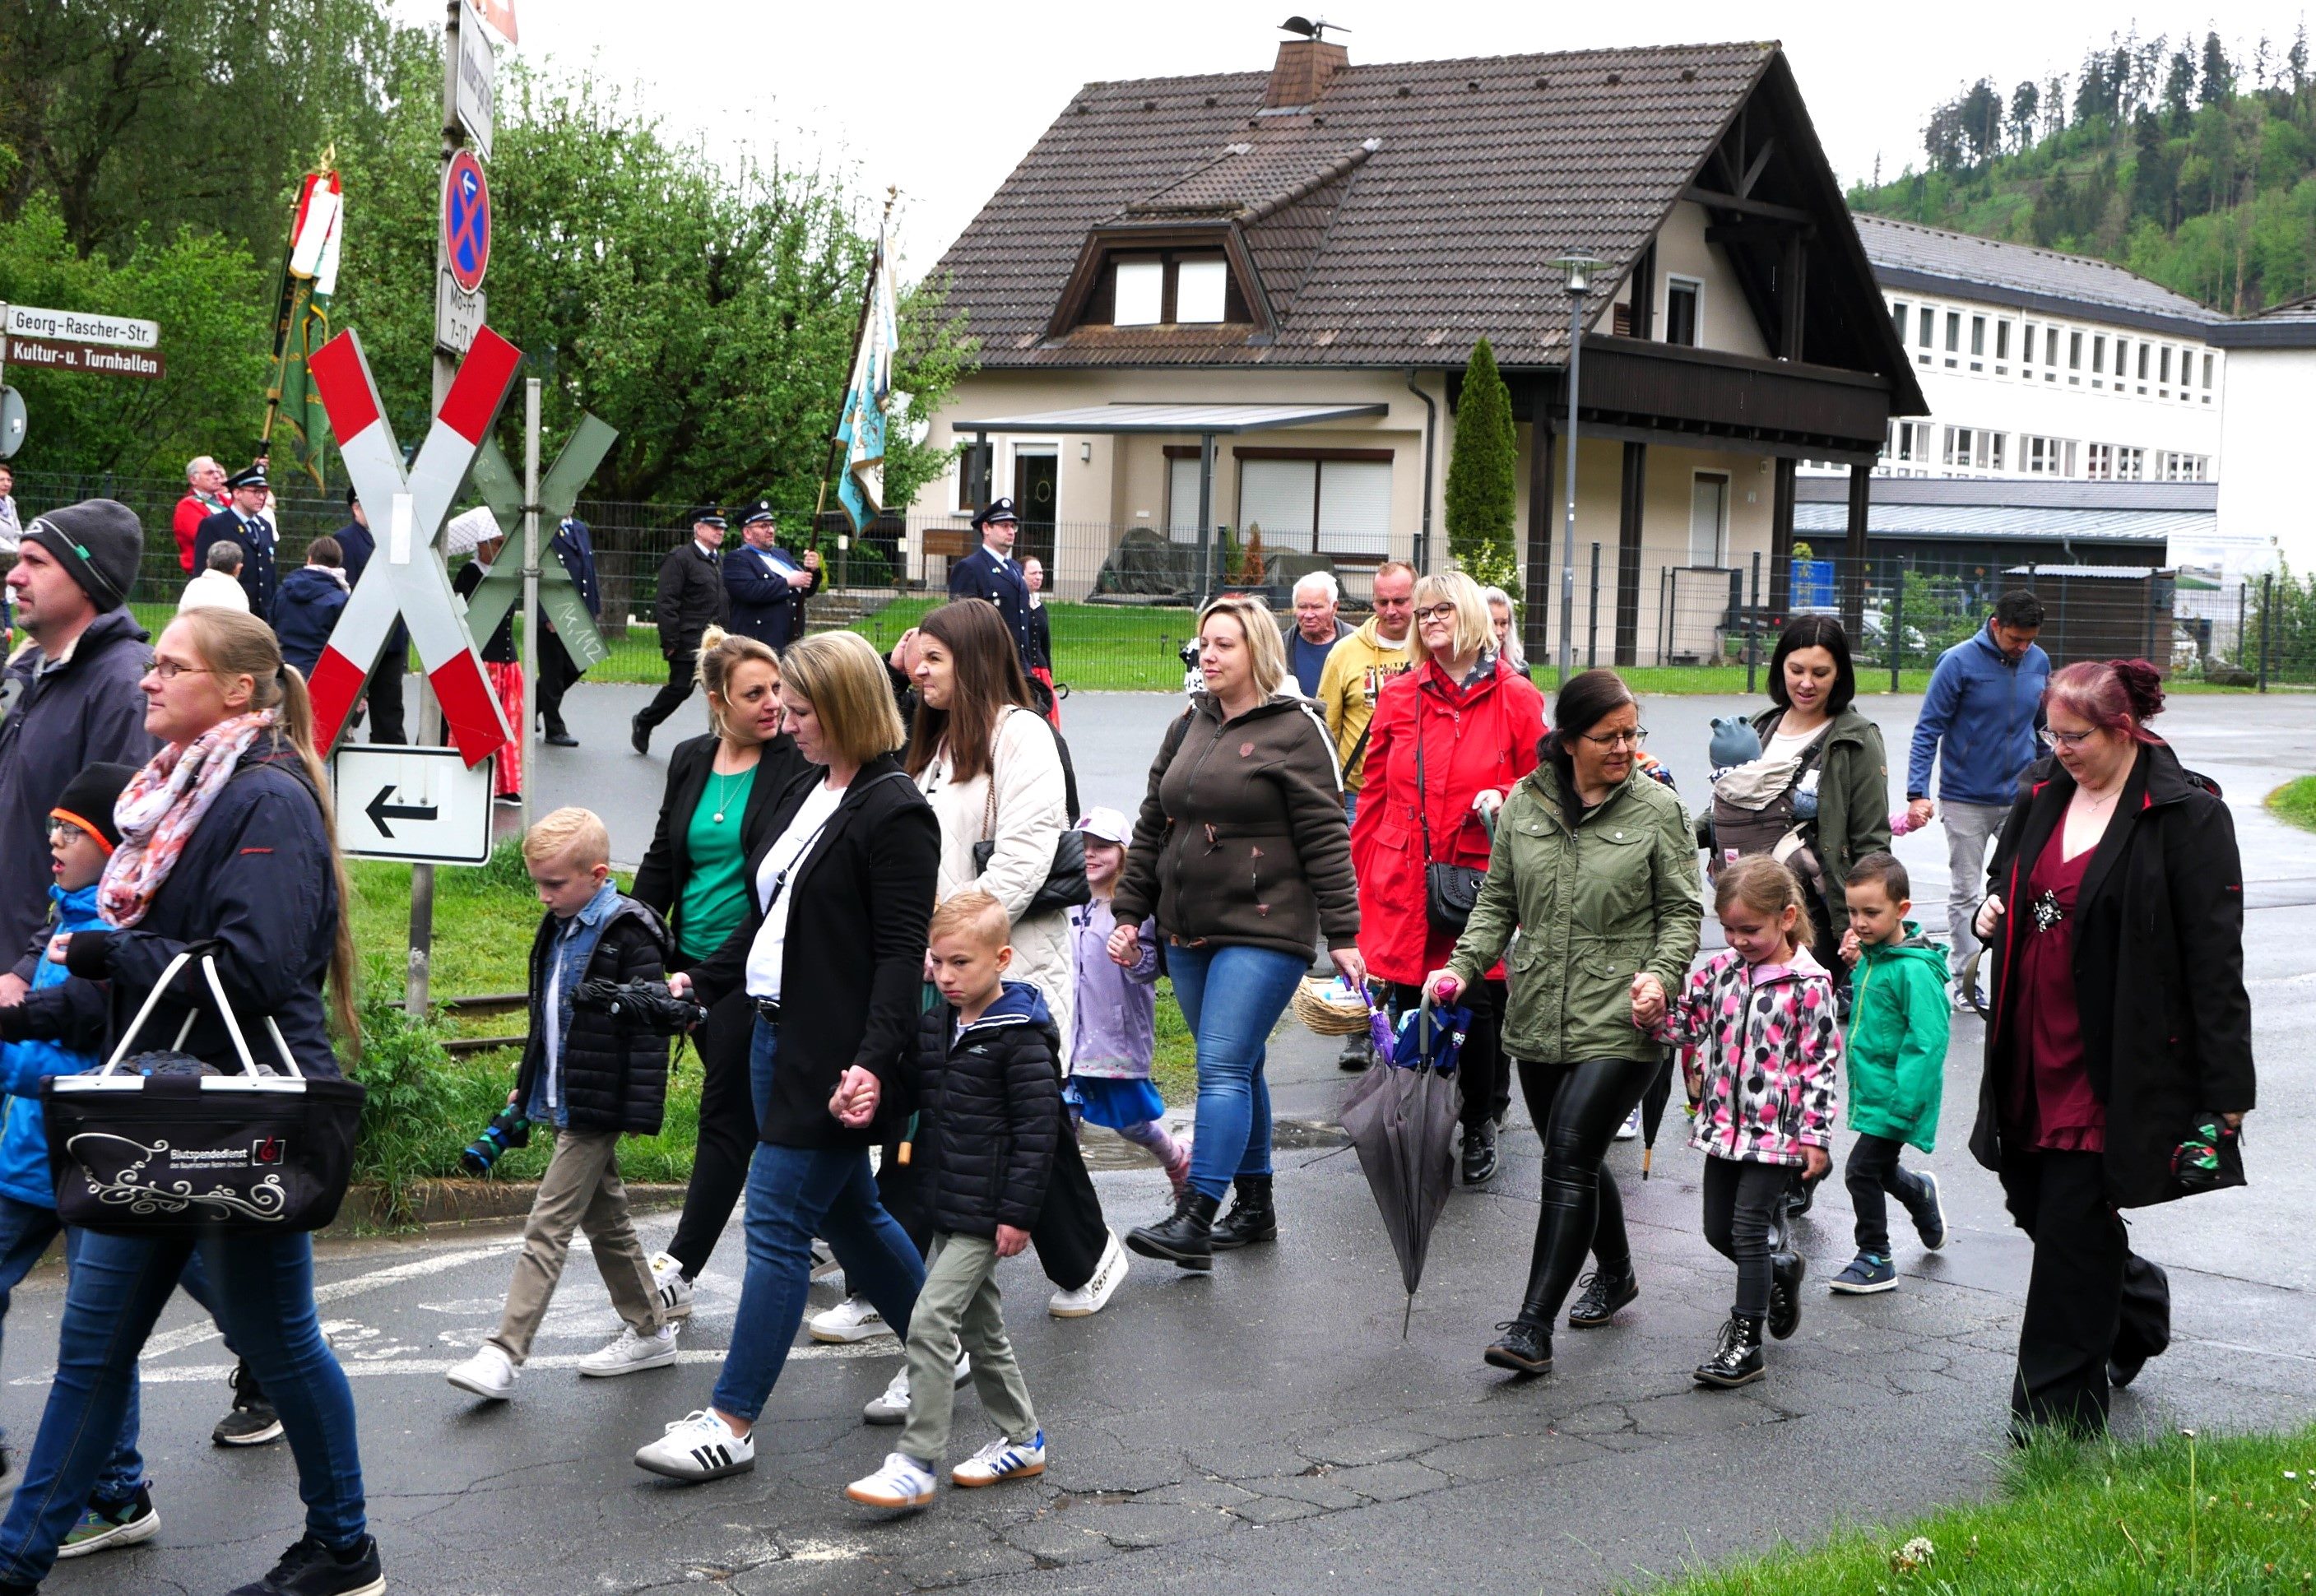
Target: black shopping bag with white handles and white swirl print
{"points": [[173, 1148]]}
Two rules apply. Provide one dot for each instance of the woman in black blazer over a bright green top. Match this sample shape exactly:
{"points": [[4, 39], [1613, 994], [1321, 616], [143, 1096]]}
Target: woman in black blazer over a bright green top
{"points": [[721, 791]]}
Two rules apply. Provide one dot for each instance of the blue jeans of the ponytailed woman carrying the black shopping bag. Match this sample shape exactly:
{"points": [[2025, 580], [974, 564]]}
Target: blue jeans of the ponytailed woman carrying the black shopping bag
{"points": [[115, 1294]]}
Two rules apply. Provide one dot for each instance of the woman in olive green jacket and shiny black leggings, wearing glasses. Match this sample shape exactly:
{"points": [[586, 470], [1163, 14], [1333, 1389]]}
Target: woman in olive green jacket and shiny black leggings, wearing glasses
{"points": [[1597, 870]]}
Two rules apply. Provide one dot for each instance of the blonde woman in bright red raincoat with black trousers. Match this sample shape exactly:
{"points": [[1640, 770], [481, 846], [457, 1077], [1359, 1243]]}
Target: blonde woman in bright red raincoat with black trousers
{"points": [[1474, 724]]}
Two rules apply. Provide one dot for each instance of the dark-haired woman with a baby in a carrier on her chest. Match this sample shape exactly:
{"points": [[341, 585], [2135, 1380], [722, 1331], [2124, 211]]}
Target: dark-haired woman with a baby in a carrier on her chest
{"points": [[1845, 773]]}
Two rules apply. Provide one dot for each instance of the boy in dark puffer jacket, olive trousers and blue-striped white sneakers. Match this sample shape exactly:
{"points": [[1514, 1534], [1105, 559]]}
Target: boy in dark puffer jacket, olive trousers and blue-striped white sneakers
{"points": [[988, 1094]]}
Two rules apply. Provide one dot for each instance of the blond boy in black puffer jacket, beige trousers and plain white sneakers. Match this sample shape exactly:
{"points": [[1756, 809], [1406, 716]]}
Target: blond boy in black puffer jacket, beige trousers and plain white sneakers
{"points": [[589, 1078]]}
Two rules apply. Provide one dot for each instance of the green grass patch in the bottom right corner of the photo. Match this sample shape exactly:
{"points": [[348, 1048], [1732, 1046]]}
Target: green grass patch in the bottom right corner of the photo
{"points": [[2194, 1516]]}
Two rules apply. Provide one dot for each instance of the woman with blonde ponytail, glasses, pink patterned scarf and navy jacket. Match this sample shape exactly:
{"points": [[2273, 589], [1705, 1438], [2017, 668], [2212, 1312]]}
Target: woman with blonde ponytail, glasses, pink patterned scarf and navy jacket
{"points": [[226, 847]]}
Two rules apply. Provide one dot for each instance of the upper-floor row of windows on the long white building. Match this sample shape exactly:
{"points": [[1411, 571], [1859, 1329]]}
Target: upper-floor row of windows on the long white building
{"points": [[1981, 344]]}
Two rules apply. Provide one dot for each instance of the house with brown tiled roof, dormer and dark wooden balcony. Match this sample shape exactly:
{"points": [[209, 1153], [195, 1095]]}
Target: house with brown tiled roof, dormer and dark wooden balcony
{"points": [[1247, 302]]}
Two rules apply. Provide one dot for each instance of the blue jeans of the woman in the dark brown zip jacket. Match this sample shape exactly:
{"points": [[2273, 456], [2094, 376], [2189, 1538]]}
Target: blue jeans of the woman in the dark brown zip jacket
{"points": [[1233, 997]]}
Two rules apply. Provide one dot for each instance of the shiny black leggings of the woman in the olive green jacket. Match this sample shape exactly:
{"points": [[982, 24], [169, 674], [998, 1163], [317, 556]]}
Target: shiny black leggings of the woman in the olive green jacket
{"points": [[1576, 1111]]}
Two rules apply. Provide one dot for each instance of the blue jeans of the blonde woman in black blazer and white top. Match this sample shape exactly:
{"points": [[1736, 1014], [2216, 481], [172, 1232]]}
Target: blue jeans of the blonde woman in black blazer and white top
{"points": [[793, 1196]]}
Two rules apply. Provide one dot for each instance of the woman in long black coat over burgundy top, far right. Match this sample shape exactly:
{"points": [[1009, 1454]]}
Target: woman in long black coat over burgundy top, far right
{"points": [[2116, 912]]}
